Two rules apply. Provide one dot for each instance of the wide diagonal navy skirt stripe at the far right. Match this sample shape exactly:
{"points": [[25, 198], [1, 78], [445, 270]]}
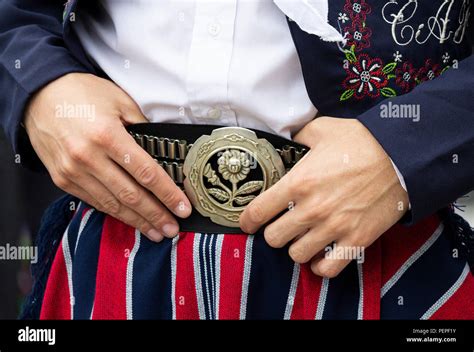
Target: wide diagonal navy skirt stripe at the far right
{"points": [[423, 283]]}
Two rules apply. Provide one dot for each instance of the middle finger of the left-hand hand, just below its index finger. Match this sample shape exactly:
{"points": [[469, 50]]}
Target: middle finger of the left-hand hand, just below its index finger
{"points": [[135, 197]]}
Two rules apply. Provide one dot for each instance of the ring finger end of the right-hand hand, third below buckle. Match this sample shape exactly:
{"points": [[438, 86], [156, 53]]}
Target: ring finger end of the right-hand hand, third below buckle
{"points": [[310, 244]]}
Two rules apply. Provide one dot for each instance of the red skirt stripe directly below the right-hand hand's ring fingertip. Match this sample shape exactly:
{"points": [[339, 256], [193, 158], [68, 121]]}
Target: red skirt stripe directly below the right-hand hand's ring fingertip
{"points": [[307, 294]]}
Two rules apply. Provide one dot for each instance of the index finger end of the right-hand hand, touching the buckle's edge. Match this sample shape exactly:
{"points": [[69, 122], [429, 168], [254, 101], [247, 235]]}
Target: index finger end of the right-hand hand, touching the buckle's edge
{"points": [[266, 206]]}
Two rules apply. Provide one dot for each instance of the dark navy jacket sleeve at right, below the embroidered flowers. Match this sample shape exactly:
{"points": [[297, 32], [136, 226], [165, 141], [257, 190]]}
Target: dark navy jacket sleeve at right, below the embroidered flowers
{"points": [[436, 154]]}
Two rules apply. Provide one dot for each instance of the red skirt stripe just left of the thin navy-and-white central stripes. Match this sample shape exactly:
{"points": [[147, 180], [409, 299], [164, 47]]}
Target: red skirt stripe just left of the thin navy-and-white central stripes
{"points": [[185, 289]]}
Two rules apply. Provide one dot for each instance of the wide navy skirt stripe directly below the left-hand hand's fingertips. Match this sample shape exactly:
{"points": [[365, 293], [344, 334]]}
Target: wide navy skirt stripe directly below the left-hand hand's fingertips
{"points": [[152, 280]]}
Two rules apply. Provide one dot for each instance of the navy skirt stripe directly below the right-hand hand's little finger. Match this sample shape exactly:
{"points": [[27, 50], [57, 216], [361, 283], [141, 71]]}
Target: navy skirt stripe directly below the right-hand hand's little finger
{"points": [[342, 300]]}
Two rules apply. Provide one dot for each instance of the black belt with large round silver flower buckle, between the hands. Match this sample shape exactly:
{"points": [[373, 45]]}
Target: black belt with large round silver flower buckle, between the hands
{"points": [[220, 168]]}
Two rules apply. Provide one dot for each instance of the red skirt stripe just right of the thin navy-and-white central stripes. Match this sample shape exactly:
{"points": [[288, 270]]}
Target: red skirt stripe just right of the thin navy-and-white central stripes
{"points": [[232, 273]]}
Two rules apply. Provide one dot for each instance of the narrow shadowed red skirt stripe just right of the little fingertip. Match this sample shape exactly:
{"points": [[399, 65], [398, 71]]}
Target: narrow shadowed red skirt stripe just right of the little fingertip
{"points": [[372, 281]]}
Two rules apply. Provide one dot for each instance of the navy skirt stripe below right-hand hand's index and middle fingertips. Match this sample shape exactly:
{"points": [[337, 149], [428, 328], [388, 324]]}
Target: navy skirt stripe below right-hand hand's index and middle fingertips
{"points": [[270, 281]]}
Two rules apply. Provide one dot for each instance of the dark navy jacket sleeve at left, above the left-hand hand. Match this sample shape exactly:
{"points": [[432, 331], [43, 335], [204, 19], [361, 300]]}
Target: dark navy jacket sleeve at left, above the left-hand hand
{"points": [[32, 54]]}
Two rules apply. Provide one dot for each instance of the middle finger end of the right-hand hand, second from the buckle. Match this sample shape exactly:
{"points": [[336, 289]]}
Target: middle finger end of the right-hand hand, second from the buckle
{"points": [[287, 227]]}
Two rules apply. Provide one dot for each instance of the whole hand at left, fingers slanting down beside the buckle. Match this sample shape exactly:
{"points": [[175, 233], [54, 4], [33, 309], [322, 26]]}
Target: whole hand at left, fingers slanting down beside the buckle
{"points": [[95, 159]]}
